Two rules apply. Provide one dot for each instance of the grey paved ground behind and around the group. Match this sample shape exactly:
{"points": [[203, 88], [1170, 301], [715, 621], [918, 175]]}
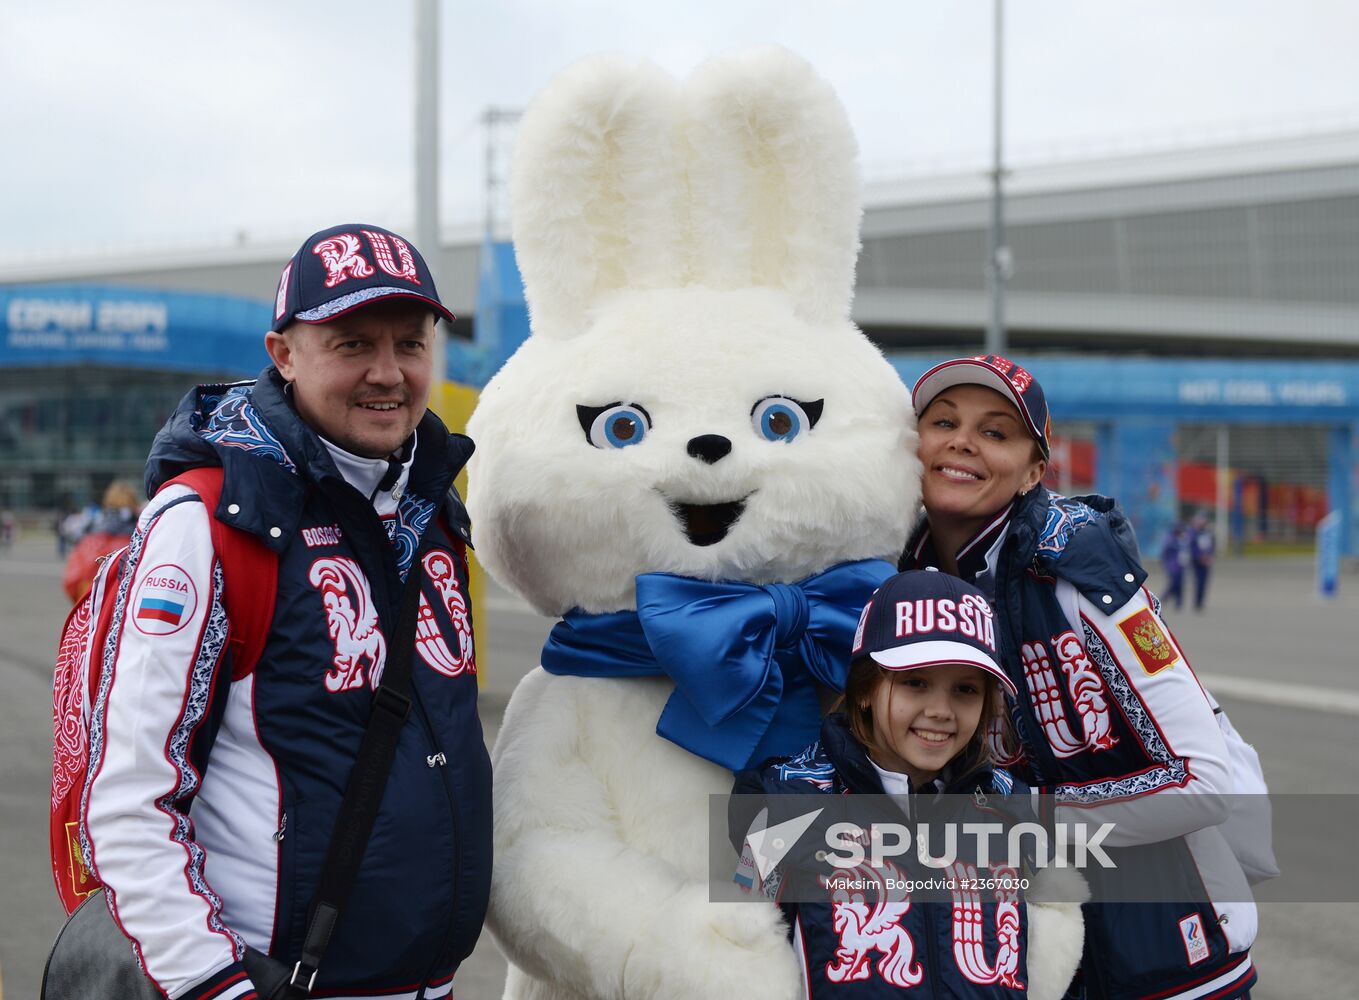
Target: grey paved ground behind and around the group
{"points": [[1281, 660]]}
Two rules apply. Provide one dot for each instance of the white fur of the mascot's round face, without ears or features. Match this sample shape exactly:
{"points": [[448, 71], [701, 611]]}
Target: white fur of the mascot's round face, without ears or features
{"points": [[571, 526]]}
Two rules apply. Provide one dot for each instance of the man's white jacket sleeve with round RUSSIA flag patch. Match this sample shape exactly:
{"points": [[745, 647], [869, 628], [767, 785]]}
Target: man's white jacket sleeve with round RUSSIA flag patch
{"points": [[150, 732]]}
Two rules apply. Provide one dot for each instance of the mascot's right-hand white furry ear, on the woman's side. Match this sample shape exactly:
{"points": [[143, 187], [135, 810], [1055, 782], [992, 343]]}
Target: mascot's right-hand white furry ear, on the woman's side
{"points": [[775, 181]]}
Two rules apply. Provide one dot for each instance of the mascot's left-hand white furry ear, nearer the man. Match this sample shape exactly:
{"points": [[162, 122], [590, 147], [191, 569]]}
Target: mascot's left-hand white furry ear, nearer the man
{"points": [[597, 190]]}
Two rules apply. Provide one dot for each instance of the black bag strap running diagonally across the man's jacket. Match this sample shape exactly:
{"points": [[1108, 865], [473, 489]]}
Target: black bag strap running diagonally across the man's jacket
{"points": [[364, 794]]}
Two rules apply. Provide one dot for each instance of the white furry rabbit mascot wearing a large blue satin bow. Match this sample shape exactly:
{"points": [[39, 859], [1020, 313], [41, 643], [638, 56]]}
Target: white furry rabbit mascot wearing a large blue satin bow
{"points": [[702, 465]]}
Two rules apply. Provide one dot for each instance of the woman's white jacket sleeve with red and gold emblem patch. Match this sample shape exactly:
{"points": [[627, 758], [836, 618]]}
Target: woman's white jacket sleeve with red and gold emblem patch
{"points": [[1148, 677]]}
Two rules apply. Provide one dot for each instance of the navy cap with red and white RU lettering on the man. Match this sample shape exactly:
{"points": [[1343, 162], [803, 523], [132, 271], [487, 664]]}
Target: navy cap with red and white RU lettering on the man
{"points": [[347, 267]]}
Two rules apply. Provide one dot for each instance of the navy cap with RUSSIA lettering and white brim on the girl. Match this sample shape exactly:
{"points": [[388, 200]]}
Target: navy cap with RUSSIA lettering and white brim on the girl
{"points": [[926, 619]]}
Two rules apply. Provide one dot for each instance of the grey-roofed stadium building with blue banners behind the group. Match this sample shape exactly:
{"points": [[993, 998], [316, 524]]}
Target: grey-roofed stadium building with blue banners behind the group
{"points": [[1193, 315]]}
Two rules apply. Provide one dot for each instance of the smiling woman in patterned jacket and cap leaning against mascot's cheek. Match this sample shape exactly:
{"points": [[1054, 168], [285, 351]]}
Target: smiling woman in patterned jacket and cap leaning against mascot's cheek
{"points": [[1108, 707]]}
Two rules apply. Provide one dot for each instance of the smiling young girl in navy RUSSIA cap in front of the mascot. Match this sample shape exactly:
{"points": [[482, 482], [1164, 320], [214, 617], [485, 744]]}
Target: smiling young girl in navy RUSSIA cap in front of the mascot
{"points": [[923, 684]]}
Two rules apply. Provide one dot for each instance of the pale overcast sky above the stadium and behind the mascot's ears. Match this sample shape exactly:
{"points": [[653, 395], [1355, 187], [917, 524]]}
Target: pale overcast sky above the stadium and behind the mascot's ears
{"points": [[154, 124]]}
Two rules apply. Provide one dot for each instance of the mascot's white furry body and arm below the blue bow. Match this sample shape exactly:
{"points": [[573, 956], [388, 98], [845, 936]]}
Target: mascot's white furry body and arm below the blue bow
{"points": [[600, 881]]}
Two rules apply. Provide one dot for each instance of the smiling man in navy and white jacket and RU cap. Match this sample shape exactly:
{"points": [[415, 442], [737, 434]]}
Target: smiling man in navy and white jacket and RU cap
{"points": [[214, 793]]}
